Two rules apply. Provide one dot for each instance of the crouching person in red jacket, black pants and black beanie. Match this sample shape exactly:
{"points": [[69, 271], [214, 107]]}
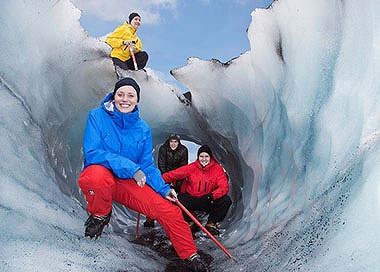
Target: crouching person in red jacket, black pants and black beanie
{"points": [[205, 188]]}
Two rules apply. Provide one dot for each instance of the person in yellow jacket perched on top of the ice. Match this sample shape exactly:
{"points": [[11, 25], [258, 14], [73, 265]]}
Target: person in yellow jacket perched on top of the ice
{"points": [[123, 39]]}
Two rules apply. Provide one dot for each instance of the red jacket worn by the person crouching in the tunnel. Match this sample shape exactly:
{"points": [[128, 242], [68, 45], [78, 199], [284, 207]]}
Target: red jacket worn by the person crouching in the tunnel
{"points": [[200, 180]]}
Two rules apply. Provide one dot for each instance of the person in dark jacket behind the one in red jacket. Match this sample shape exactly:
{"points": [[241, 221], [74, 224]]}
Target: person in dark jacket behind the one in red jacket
{"points": [[171, 155]]}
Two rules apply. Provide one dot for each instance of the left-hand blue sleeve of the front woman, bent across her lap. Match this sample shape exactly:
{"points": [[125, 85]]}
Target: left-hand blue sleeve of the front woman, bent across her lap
{"points": [[96, 153]]}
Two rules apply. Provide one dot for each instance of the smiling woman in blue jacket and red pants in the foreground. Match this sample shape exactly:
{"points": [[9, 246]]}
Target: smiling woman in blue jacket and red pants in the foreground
{"points": [[119, 166]]}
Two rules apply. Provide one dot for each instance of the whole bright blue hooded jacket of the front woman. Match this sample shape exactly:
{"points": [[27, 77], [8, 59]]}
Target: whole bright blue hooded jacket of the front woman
{"points": [[122, 142]]}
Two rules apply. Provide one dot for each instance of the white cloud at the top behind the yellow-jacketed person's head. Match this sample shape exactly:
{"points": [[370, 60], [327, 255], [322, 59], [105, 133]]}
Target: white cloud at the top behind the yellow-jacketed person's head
{"points": [[118, 10]]}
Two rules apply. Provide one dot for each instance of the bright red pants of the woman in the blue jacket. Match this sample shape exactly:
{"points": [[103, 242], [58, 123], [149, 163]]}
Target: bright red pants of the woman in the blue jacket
{"points": [[101, 187]]}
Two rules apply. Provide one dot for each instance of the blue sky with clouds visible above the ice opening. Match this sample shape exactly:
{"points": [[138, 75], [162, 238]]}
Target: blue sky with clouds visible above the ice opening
{"points": [[174, 30]]}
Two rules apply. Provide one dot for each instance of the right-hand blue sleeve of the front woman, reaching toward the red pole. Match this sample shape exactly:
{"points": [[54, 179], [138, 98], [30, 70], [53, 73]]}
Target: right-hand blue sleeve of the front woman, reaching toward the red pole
{"points": [[153, 175]]}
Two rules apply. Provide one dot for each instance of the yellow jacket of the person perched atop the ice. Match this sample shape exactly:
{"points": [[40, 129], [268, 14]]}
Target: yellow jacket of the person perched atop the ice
{"points": [[116, 38]]}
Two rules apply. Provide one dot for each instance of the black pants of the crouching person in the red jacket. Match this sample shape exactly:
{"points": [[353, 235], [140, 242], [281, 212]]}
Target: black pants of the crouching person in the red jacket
{"points": [[217, 210]]}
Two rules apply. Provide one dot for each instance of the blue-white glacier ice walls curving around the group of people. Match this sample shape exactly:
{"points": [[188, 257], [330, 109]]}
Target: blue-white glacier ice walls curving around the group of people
{"points": [[295, 121]]}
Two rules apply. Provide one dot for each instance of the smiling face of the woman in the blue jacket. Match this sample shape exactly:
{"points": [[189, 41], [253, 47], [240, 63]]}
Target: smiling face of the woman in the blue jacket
{"points": [[125, 99]]}
